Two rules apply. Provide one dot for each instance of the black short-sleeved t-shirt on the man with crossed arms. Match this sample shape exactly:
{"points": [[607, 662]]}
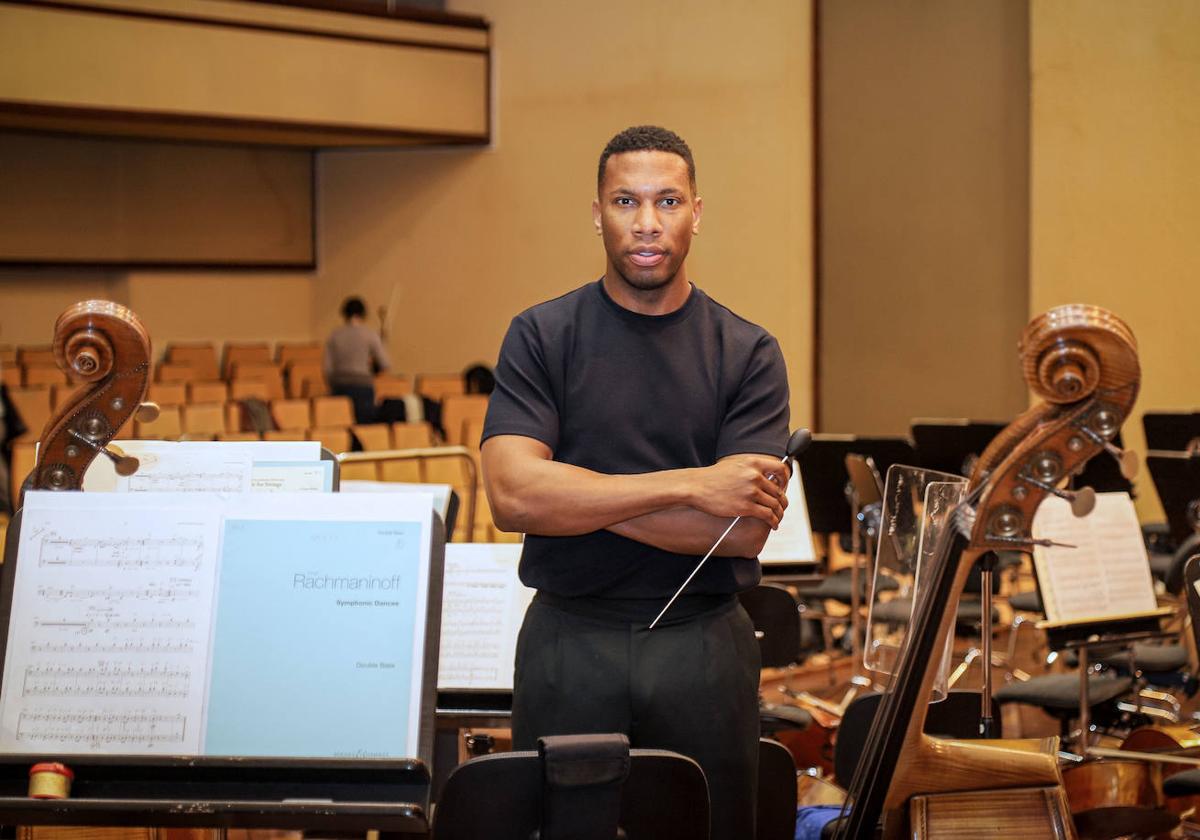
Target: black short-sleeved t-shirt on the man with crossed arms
{"points": [[621, 393]]}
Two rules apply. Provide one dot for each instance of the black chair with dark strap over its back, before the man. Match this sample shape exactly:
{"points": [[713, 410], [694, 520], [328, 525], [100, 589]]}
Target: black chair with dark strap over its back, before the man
{"points": [[575, 788]]}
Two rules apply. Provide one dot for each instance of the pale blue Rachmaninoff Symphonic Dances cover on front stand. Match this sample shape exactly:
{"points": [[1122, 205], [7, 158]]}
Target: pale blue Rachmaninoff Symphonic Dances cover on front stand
{"points": [[331, 608]]}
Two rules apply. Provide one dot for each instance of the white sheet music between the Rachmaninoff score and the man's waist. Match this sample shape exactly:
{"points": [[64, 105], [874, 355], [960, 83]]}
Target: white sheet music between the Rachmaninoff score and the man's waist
{"points": [[483, 607]]}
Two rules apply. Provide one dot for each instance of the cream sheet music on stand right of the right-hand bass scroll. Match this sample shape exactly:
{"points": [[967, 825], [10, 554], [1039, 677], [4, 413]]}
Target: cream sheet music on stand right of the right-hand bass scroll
{"points": [[1107, 575]]}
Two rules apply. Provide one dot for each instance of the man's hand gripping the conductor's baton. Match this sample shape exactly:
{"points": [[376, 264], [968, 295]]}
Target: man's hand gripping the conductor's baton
{"points": [[739, 485]]}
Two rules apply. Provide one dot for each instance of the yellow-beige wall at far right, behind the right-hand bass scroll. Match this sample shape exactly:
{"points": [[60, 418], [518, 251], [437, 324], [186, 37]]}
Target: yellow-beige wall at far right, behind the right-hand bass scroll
{"points": [[1117, 182]]}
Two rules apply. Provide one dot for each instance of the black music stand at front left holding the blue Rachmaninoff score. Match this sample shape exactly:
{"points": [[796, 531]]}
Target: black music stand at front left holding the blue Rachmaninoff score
{"points": [[391, 796]]}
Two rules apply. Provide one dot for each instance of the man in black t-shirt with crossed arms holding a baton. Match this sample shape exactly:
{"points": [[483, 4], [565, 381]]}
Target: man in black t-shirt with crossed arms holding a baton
{"points": [[632, 421]]}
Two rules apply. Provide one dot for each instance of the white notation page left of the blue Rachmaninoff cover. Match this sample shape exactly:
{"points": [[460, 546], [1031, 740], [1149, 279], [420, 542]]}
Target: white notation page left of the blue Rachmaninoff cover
{"points": [[109, 635]]}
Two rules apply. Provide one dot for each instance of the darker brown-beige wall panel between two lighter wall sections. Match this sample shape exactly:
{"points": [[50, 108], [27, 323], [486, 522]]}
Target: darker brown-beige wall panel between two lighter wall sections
{"points": [[925, 212]]}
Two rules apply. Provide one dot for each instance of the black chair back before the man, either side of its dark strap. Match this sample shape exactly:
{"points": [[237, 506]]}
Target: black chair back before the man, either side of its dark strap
{"points": [[500, 797]]}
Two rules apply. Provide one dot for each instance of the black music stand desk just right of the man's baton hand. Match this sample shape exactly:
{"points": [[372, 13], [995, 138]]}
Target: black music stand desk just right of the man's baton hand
{"points": [[824, 472]]}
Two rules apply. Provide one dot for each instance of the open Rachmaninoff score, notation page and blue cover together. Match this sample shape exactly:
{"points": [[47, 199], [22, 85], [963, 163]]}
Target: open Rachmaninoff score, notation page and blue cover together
{"points": [[278, 625]]}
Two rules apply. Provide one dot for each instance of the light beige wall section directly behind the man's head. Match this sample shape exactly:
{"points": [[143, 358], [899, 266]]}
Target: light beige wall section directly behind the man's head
{"points": [[463, 241]]}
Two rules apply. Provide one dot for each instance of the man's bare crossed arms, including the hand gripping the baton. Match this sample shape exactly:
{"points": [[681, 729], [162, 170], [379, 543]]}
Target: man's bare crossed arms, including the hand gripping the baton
{"points": [[679, 511]]}
